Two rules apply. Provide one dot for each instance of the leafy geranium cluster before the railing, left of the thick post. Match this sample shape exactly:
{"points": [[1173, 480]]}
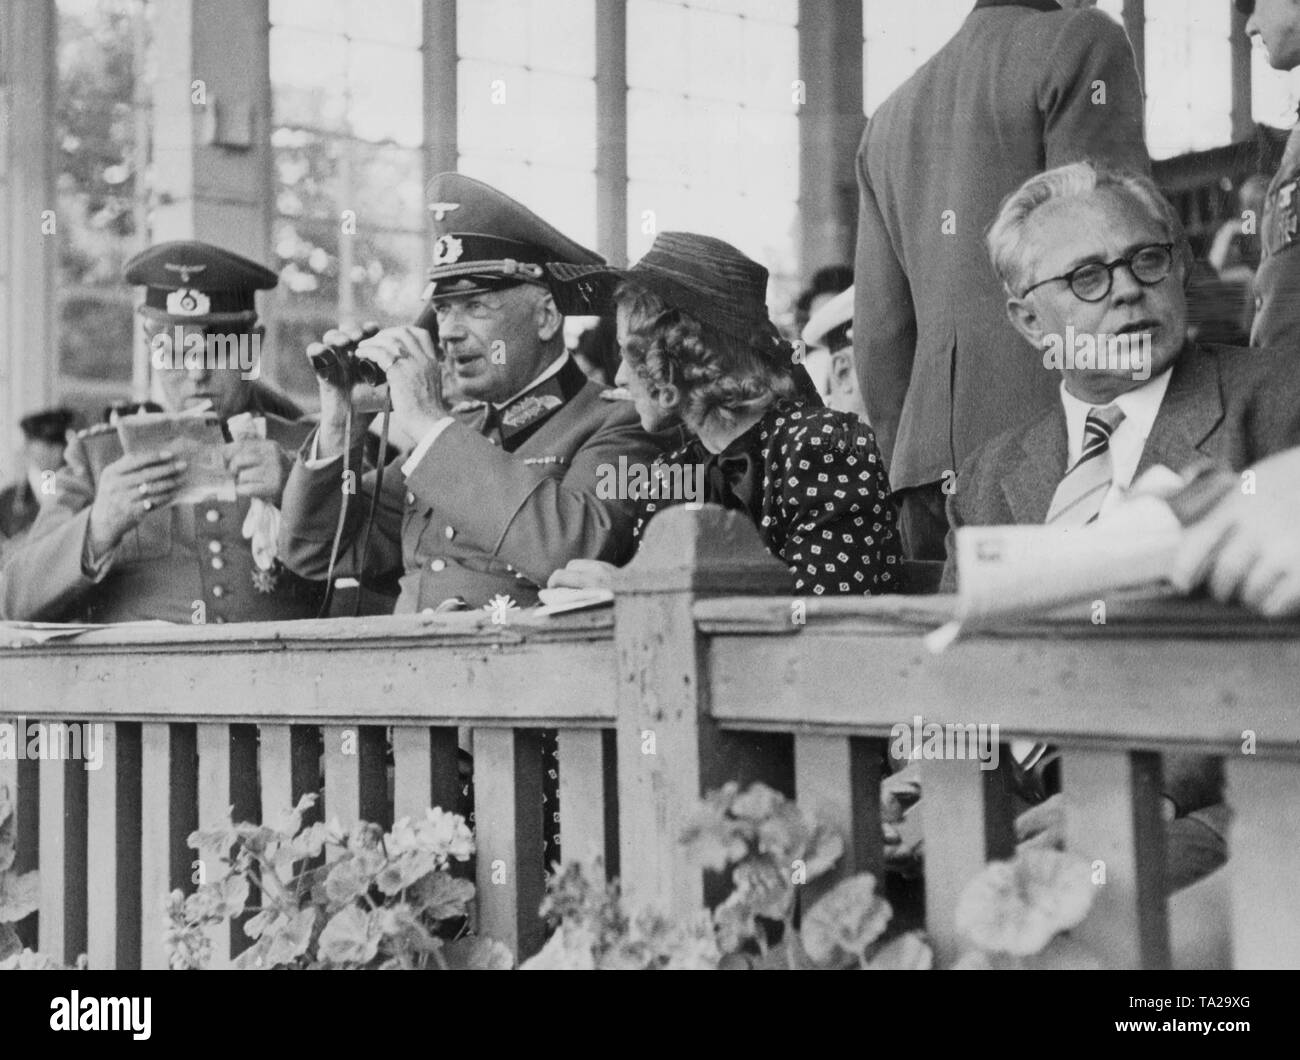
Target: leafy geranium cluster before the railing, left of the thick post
{"points": [[380, 901]]}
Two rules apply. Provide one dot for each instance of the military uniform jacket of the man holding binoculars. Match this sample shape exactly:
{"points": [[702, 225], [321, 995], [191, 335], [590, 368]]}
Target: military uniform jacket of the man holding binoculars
{"points": [[500, 501]]}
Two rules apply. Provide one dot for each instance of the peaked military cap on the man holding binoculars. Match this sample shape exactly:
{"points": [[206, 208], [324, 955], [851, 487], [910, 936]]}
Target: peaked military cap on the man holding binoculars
{"points": [[492, 241]]}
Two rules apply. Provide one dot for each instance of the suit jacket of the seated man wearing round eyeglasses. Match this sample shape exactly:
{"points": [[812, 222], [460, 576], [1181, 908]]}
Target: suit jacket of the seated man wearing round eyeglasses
{"points": [[1230, 405]]}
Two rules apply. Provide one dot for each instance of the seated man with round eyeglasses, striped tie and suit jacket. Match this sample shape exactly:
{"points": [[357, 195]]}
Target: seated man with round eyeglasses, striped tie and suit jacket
{"points": [[1094, 265]]}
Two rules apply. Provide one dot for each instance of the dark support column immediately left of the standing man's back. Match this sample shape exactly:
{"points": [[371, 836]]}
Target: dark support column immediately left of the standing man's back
{"points": [[831, 126]]}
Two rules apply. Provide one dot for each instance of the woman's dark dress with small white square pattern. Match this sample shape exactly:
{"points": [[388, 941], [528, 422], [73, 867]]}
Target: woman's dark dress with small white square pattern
{"points": [[816, 486]]}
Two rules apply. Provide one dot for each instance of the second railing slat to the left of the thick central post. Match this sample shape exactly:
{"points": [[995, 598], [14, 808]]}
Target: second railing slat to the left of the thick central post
{"points": [[509, 825]]}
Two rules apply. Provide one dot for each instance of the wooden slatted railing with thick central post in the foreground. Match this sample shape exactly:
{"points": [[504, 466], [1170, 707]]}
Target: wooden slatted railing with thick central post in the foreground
{"points": [[707, 670]]}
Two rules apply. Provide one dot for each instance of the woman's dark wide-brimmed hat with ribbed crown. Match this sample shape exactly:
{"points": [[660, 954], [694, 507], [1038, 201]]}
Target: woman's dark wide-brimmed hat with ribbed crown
{"points": [[699, 275]]}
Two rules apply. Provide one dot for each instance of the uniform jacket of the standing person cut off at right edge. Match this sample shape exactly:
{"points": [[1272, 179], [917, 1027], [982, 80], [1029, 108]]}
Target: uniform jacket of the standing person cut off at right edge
{"points": [[1277, 284]]}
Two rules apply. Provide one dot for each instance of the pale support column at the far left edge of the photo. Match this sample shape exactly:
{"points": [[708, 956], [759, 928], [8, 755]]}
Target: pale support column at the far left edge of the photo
{"points": [[29, 236]]}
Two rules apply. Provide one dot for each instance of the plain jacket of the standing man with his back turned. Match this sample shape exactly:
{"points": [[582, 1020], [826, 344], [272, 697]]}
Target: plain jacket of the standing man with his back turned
{"points": [[1011, 96]]}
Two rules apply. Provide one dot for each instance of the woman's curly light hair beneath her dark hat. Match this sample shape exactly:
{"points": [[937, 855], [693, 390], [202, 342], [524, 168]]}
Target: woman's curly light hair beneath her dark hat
{"points": [[697, 371]]}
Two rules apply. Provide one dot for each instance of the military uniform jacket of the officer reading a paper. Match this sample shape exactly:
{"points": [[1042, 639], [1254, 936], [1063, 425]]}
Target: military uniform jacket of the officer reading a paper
{"points": [[167, 566]]}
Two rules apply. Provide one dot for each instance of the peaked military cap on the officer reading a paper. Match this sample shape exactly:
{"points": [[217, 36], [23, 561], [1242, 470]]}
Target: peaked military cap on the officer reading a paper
{"points": [[193, 283]]}
